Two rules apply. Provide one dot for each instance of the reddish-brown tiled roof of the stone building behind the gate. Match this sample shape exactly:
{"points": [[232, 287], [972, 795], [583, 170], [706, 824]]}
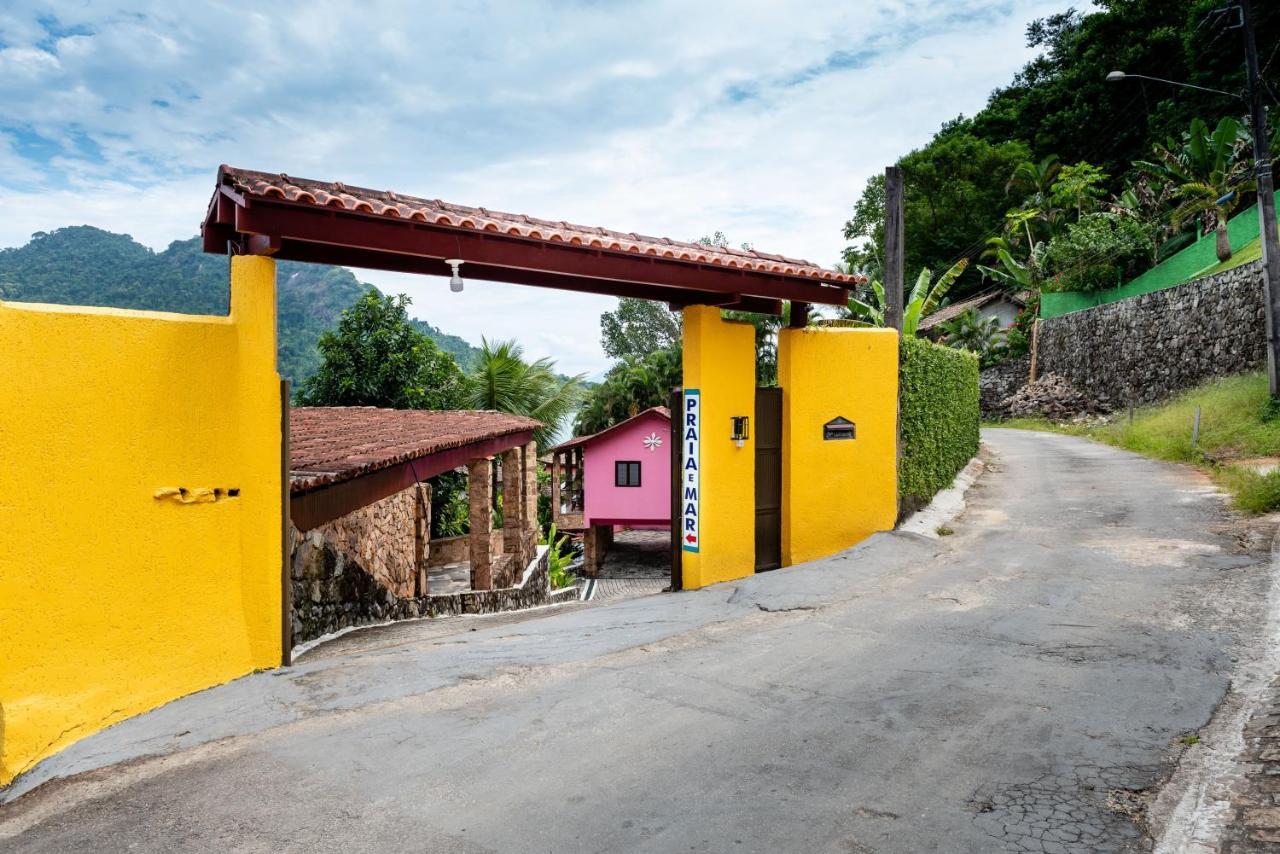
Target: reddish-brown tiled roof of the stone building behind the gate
{"points": [[333, 444]]}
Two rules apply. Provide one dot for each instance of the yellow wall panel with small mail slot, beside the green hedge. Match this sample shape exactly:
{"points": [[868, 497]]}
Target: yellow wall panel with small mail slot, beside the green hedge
{"points": [[836, 494]]}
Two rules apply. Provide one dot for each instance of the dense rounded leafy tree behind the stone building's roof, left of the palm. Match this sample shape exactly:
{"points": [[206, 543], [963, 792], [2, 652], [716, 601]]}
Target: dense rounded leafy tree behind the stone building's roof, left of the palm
{"points": [[377, 358]]}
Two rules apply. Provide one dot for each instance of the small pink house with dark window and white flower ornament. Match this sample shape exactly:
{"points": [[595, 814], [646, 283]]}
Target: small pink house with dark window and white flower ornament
{"points": [[618, 477]]}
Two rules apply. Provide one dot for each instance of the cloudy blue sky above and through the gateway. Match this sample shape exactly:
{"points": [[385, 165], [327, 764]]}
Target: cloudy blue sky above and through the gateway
{"points": [[758, 120]]}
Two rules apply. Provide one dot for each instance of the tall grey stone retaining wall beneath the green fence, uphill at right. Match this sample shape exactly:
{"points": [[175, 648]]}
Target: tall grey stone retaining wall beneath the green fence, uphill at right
{"points": [[1145, 349]]}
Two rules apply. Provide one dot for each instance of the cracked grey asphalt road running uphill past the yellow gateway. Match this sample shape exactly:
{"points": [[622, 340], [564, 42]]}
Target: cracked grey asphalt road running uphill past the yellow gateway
{"points": [[1020, 686]]}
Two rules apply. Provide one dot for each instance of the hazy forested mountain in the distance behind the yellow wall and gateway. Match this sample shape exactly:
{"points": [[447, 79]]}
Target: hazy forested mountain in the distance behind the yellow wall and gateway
{"points": [[86, 266]]}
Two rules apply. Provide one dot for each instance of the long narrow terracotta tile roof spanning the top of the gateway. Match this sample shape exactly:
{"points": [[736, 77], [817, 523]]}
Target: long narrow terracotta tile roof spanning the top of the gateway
{"points": [[385, 203]]}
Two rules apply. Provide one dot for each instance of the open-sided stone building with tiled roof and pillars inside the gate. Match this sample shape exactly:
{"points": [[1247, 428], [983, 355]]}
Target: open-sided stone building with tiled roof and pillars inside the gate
{"points": [[360, 509]]}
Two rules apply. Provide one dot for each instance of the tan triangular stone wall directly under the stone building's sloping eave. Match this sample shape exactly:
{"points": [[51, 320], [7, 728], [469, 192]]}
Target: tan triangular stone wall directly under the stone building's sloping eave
{"points": [[382, 540]]}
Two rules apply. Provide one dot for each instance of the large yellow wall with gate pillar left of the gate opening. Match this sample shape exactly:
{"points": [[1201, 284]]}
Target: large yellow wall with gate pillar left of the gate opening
{"points": [[115, 601]]}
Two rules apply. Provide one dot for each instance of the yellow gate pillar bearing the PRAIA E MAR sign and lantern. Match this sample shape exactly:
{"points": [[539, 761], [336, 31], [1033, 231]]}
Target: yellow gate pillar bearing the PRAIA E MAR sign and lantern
{"points": [[720, 362]]}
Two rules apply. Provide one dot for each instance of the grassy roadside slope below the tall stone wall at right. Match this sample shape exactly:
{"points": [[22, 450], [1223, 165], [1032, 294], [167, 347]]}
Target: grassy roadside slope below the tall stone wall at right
{"points": [[1237, 423]]}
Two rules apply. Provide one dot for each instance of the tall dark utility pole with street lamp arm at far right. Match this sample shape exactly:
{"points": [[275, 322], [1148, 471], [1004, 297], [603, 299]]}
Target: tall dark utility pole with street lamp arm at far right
{"points": [[1267, 188]]}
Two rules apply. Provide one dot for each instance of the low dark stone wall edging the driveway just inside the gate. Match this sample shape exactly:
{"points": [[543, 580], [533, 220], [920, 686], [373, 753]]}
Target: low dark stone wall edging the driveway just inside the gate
{"points": [[332, 591]]}
